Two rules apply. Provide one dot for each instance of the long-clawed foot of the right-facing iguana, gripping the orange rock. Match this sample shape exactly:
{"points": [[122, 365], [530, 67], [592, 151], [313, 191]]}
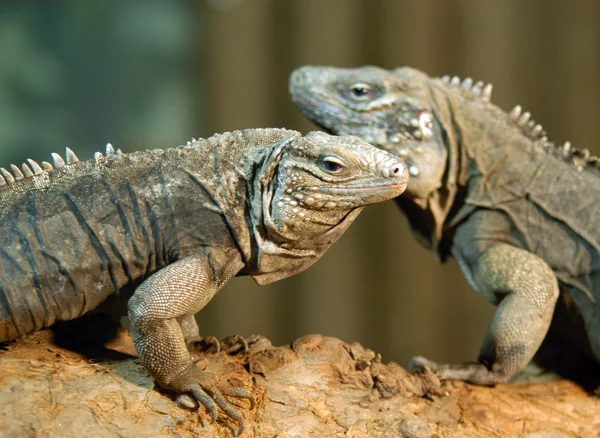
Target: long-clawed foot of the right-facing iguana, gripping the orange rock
{"points": [[204, 389]]}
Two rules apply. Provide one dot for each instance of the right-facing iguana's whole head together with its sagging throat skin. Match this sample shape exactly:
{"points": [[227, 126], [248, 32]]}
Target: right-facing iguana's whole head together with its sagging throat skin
{"points": [[310, 190]]}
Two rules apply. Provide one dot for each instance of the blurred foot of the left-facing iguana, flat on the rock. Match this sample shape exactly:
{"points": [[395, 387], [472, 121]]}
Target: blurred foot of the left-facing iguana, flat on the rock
{"points": [[476, 373]]}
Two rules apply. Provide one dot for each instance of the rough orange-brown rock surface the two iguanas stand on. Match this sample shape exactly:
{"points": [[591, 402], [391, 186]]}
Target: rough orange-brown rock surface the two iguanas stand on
{"points": [[315, 387]]}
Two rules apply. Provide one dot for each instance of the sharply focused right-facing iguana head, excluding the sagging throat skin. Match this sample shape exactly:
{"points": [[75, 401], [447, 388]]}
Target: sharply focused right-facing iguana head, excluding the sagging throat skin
{"points": [[320, 178]]}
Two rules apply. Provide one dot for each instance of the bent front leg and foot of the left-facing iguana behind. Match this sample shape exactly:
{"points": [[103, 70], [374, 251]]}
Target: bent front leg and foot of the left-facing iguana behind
{"points": [[526, 290]]}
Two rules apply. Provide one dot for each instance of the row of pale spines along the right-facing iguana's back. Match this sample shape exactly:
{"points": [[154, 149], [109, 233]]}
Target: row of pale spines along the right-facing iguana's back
{"points": [[34, 169]]}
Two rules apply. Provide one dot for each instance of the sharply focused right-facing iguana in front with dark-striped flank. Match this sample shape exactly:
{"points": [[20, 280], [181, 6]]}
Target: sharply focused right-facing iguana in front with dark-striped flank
{"points": [[172, 227]]}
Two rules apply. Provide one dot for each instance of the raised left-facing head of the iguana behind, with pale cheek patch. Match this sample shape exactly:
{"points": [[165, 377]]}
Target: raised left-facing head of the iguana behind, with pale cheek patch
{"points": [[392, 110]]}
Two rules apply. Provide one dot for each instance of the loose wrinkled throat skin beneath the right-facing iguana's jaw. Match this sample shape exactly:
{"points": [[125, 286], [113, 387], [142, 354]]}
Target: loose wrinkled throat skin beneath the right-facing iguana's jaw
{"points": [[288, 237]]}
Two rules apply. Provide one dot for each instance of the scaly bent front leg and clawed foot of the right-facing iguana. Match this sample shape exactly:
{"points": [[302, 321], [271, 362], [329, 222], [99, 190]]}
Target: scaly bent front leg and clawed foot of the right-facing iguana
{"points": [[156, 309]]}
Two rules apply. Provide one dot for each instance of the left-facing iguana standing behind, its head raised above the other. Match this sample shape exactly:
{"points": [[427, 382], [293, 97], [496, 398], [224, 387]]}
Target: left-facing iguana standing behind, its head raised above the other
{"points": [[519, 214]]}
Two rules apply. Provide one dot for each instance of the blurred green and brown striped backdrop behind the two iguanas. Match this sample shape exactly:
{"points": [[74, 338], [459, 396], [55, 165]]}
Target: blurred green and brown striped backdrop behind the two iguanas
{"points": [[153, 74]]}
